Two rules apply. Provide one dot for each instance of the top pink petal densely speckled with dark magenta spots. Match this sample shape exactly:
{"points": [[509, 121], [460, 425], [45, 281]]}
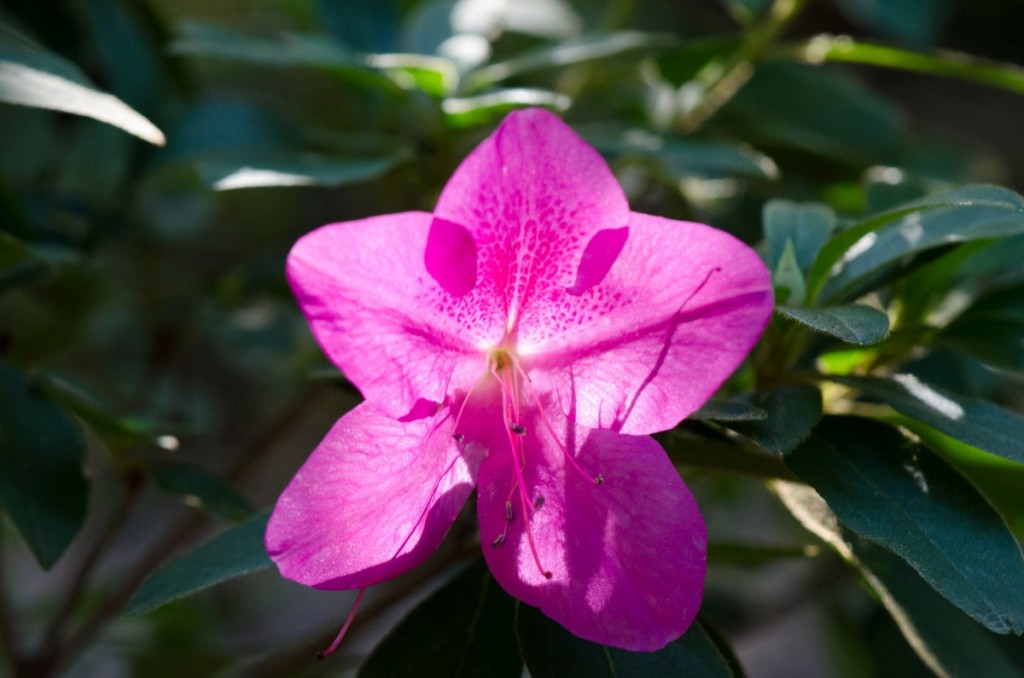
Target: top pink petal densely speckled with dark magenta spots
{"points": [[534, 196]]}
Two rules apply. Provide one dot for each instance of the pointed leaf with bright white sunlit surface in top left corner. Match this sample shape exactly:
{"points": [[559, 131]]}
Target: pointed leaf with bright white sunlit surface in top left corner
{"points": [[33, 76]]}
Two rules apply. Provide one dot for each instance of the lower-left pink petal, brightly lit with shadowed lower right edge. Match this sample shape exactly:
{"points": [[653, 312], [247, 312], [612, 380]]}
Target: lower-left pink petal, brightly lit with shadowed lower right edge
{"points": [[374, 500]]}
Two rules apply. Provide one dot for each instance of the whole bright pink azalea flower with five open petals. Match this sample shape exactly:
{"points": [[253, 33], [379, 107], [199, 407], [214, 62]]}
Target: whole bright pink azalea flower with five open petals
{"points": [[525, 340]]}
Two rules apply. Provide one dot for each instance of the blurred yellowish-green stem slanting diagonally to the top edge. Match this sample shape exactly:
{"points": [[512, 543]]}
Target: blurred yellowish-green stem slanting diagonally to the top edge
{"points": [[724, 84]]}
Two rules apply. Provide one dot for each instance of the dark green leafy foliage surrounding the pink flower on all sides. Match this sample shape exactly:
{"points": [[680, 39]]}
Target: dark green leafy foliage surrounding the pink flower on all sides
{"points": [[159, 387]]}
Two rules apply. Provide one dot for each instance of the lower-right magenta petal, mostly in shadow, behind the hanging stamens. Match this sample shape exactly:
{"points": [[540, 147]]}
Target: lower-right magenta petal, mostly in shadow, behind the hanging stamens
{"points": [[627, 557]]}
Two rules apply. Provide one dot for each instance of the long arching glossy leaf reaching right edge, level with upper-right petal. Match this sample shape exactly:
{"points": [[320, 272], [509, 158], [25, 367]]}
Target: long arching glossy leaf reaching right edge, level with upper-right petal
{"points": [[960, 217]]}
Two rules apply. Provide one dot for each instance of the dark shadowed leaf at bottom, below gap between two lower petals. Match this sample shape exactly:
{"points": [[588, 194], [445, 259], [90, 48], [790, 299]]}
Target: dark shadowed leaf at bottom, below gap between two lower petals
{"points": [[465, 629]]}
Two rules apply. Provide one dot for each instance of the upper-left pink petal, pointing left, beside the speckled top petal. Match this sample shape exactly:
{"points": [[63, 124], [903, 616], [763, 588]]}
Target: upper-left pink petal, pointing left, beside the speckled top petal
{"points": [[380, 317]]}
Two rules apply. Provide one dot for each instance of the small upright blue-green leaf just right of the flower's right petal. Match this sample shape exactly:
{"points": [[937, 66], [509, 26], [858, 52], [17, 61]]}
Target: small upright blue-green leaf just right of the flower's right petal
{"points": [[807, 226]]}
